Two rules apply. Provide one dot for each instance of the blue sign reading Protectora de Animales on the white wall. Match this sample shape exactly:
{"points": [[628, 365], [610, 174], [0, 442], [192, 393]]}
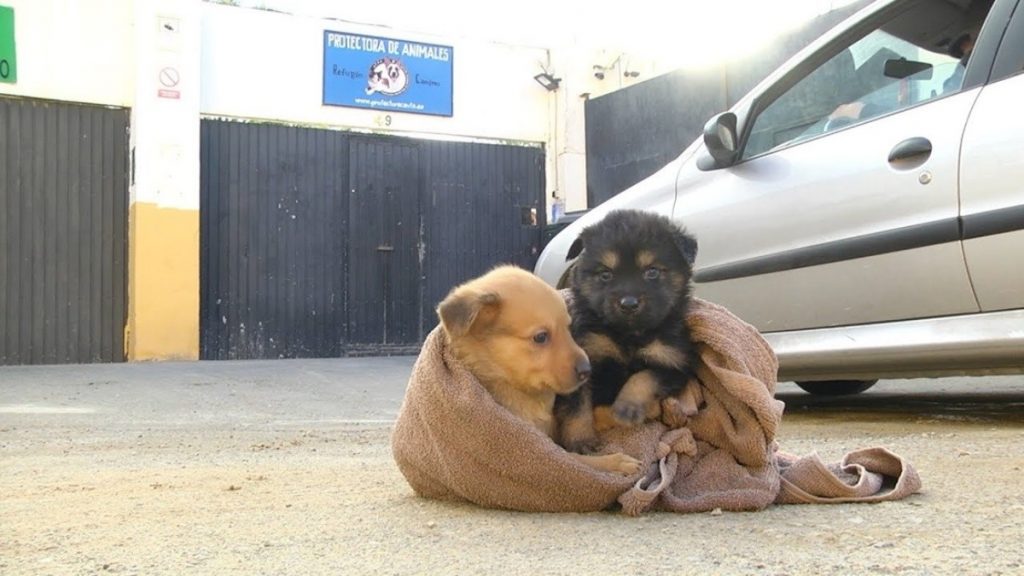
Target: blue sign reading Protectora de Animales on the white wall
{"points": [[387, 74]]}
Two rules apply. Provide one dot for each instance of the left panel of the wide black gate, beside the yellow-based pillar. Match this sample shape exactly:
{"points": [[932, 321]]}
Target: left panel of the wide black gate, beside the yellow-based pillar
{"points": [[274, 215]]}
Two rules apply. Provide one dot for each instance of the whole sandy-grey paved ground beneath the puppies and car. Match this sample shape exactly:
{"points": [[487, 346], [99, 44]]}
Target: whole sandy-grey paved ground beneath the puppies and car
{"points": [[284, 468]]}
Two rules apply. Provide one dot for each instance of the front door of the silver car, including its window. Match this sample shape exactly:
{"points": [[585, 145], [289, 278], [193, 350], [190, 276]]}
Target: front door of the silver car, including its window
{"points": [[843, 208]]}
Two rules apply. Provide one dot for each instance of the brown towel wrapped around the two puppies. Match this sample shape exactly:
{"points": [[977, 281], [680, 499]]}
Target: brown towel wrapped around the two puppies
{"points": [[452, 441]]}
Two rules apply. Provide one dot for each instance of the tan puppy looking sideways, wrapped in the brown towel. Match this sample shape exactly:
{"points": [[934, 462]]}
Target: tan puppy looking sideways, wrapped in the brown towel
{"points": [[511, 331]]}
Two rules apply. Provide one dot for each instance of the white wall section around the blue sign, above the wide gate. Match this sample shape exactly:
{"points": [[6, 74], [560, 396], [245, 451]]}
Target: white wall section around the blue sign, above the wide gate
{"points": [[265, 65]]}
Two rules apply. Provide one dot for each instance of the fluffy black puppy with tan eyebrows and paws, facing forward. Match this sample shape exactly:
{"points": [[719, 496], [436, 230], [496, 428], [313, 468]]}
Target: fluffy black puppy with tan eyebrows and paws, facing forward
{"points": [[631, 290]]}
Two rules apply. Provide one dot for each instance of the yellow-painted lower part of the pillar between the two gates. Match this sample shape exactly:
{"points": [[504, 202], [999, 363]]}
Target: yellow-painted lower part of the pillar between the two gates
{"points": [[163, 289]]}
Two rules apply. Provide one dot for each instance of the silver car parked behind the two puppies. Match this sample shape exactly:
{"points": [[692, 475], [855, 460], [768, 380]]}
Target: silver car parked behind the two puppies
{"points": [[864, 207]]}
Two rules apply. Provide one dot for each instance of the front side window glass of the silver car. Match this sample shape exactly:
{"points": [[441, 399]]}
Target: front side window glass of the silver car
{"points": [[918, 56]]}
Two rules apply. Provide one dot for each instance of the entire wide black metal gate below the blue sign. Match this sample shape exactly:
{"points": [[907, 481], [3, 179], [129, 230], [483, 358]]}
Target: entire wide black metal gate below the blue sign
{"points": [[322, 243]]}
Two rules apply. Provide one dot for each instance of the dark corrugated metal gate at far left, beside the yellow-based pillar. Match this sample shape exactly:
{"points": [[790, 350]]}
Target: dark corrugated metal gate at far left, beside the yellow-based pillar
{"points": [[64, 214]]}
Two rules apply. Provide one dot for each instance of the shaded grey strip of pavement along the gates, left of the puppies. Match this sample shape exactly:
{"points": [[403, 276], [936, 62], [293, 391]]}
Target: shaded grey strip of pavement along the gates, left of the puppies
{"points": [[247, 394]]}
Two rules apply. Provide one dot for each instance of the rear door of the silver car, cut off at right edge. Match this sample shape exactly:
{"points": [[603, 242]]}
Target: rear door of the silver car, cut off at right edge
{"points": [[992, 173]]}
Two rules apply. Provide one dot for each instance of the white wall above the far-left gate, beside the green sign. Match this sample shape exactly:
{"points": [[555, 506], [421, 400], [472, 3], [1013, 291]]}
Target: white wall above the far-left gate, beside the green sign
{"points": [[77, 51]]}
